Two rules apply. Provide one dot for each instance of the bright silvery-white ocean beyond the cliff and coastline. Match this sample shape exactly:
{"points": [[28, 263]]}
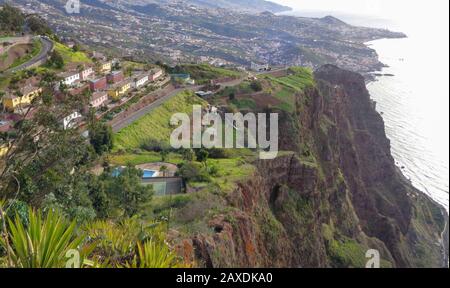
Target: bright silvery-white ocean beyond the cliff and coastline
{"points": [[414, 102]]}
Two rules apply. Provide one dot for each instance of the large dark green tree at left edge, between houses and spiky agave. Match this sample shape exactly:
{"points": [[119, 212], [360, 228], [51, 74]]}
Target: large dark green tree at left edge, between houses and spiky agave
{"points": [[46, 162]]}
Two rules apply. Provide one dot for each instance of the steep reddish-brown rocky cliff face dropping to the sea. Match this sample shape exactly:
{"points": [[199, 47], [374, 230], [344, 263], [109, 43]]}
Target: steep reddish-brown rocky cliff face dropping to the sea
{"points": [[335, 196]]}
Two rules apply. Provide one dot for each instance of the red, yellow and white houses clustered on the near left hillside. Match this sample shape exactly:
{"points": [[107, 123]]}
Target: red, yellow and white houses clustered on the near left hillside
{"points": [[104, 81]]}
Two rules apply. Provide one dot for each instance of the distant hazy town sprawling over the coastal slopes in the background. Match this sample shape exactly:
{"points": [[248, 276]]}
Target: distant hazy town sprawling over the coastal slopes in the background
{"points": [[167, 32]]}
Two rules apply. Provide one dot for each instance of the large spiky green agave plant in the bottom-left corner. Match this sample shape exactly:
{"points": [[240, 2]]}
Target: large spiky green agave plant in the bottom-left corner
{"points": [[43, 243]]}
